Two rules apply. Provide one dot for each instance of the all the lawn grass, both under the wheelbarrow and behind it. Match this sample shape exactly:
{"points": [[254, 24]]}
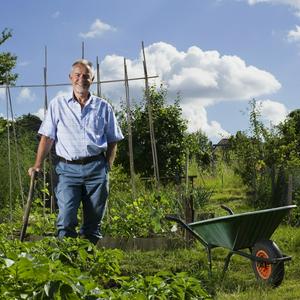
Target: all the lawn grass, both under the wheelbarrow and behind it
{"points": [[240, 281]]}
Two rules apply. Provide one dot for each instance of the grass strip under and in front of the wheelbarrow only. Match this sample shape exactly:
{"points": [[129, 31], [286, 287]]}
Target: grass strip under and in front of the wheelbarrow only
{"points": [[239, 282]]}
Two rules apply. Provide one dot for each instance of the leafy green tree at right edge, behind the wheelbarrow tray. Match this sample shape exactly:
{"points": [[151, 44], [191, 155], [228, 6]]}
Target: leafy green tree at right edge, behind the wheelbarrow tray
{"points": [[266, 158]]}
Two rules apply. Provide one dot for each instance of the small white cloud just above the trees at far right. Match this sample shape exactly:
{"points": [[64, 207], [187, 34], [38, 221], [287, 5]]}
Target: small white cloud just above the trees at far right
{"points": [[272, 111]]}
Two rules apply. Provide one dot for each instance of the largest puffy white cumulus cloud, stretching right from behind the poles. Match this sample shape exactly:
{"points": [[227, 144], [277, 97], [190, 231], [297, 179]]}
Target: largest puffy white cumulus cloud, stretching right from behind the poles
{"points": [[199, 75]]}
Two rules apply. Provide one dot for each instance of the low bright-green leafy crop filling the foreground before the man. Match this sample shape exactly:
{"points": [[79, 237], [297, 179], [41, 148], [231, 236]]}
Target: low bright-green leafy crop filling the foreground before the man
{"points": [[75, 269]]}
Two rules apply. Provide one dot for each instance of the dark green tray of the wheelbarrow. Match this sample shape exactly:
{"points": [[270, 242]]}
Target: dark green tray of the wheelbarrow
{"points": [[240, 231]]}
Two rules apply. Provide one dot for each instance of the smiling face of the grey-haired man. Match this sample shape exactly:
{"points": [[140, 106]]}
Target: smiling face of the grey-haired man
{"points": [[81, 78]]}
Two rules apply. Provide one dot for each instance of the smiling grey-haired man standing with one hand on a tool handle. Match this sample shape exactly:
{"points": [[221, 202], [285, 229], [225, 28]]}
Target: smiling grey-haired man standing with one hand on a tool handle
{"points": [[85, 132]]}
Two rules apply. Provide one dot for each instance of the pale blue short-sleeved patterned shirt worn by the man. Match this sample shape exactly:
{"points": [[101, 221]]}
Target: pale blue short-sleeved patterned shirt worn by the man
{"points": [[80, 132]]}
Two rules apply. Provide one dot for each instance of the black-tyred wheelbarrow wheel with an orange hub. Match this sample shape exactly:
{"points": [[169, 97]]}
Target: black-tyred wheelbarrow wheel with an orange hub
{"points": [[265, 272]]}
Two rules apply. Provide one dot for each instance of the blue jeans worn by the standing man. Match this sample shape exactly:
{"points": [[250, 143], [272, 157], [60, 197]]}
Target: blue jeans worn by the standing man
{"points": [[81, 183]]}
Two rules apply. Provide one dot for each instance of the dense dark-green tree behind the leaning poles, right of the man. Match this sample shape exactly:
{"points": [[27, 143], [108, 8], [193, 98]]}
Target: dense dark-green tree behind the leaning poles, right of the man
{"points": [[169, 129]]}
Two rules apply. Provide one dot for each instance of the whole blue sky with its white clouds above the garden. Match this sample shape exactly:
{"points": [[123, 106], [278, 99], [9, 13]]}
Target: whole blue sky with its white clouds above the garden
{"points": [[219, 54]]}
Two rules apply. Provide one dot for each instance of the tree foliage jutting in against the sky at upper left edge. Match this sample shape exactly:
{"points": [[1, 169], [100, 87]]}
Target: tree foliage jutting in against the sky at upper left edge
{"points": [[7, 61]]}
